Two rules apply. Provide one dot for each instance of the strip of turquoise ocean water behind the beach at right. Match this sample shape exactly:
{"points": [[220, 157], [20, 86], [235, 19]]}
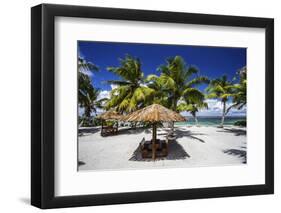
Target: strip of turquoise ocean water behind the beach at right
{"points": [[210, 121]]}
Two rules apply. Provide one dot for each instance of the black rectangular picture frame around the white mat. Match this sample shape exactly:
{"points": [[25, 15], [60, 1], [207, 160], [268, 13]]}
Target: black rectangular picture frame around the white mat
{"points": [[43, 117]]}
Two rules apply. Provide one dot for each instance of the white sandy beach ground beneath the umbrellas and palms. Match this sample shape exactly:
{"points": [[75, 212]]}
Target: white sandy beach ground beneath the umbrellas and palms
{"points": [[194, 146]]}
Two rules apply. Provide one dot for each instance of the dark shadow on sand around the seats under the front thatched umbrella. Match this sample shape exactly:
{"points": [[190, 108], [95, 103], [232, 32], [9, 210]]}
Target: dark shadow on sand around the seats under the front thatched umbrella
{"points": [[175, 152]]}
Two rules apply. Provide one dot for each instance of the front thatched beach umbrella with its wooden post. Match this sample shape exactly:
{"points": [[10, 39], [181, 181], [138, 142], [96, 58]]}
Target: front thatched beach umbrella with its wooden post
{"points": [[153, 114]]}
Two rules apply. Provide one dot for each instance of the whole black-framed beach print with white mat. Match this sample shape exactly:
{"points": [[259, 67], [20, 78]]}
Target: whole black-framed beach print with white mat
{"points": [[139, 106]]}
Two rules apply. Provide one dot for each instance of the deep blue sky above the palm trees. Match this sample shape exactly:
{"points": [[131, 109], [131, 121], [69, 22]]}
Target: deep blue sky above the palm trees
{"points": [[211, 61]]}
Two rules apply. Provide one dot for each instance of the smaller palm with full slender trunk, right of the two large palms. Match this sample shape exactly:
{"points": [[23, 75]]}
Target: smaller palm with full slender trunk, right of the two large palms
{"points": [[223, 90]]}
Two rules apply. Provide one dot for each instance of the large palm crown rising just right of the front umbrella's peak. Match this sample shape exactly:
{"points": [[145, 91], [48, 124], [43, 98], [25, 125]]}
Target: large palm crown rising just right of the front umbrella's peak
{"points": [[176, 78]]}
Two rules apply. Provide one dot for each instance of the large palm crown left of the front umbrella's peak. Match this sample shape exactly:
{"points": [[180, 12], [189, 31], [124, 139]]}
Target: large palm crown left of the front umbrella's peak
{"points": [[131, 93]]}
